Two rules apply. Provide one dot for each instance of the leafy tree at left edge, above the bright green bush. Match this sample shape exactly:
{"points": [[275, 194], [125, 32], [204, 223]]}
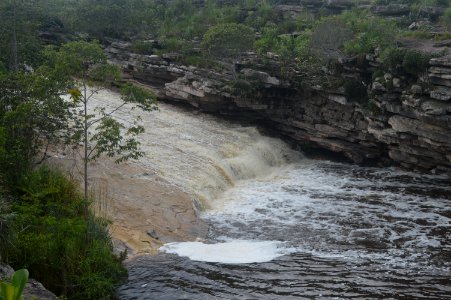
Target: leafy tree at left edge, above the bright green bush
{"points": [[33, 116]]}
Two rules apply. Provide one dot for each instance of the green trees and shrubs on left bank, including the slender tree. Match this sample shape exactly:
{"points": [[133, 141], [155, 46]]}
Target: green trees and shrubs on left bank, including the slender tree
{"points": [[46, 225]]}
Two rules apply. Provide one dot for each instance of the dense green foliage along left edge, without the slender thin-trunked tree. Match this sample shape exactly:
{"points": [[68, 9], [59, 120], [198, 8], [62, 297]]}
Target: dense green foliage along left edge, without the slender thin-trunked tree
{"points": [[42, 224]]}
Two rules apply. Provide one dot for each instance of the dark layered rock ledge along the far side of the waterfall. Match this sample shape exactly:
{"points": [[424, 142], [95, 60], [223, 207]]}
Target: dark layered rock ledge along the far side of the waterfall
{"points": [[408, 123]]}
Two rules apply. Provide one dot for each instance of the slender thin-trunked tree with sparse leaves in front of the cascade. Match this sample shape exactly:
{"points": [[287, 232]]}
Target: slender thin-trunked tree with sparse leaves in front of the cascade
{"points": [[100, 133]]}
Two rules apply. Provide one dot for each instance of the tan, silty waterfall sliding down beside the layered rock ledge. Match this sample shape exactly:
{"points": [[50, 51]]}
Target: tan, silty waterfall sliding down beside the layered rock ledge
{"points": [[200, 154]]}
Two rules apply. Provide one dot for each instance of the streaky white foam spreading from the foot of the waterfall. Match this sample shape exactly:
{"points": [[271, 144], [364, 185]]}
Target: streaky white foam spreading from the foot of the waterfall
{"points": [[334, 210]]}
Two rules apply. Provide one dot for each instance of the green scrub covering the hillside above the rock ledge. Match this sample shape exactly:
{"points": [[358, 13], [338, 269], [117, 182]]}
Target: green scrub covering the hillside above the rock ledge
{"points": [[180, 26]]}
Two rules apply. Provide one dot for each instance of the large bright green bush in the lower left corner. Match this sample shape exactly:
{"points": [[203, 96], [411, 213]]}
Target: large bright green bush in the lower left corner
{"points": [[75, 254]]}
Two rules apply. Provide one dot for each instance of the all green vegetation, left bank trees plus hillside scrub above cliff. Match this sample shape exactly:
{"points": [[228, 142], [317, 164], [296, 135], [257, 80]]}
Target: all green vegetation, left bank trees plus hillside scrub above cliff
{"points": [[41, 210]]}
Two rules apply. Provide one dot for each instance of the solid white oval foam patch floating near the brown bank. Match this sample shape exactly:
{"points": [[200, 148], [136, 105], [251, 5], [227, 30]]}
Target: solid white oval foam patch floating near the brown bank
{"points": [[231, 252]]}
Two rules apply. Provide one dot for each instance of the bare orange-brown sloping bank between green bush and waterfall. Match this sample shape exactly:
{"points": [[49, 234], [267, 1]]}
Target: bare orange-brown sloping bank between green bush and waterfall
{"points": [[145, 209]]}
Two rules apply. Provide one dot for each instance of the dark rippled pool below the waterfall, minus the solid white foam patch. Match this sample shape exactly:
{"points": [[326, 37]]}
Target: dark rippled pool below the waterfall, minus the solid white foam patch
{"points": [[356, 232]]}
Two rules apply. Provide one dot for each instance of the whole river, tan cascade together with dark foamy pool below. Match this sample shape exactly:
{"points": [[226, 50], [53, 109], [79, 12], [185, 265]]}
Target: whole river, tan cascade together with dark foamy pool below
{"points": [[286, 227]]}
